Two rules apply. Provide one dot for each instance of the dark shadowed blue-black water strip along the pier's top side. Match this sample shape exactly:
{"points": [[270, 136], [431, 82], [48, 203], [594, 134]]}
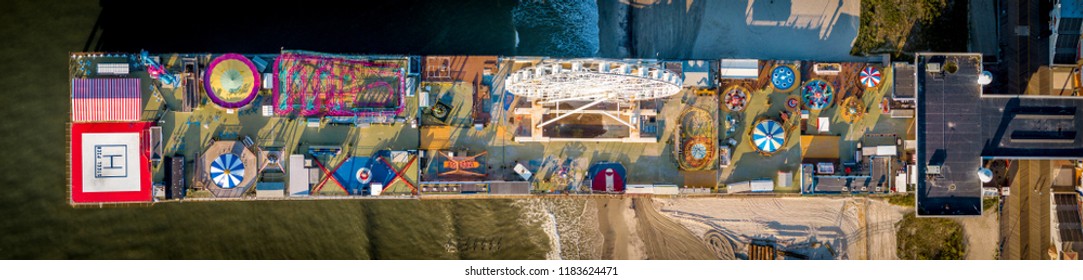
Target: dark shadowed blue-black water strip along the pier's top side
{"points": [[480, 28]]}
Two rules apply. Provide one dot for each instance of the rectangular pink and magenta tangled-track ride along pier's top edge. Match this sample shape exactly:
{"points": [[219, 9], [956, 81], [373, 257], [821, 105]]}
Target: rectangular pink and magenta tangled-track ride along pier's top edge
{"points": [[321, 85]]}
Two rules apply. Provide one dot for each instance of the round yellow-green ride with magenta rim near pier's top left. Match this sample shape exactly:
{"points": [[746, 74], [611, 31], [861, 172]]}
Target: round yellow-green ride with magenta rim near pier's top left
{"points": [[232, 82]]}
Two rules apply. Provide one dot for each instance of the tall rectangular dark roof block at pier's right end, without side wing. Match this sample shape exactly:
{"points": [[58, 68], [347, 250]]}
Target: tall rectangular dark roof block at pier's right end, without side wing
{"points": [[949, 136]]}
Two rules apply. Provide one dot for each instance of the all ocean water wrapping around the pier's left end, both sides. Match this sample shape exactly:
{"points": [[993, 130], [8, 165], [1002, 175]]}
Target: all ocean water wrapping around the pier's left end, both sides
{"points": [[38, 223]]}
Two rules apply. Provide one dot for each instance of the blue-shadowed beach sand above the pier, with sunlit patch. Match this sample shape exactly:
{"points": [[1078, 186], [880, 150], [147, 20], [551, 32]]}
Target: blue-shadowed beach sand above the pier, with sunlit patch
{"points": [[765, 30]]}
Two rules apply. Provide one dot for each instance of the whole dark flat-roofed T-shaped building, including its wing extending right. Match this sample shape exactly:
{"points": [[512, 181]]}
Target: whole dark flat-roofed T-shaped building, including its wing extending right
{"points": [[959, 127]]}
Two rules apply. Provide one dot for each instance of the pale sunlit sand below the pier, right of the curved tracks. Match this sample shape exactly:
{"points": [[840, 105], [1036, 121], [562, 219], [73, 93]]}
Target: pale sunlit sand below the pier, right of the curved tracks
{"points": [[850, 229]]}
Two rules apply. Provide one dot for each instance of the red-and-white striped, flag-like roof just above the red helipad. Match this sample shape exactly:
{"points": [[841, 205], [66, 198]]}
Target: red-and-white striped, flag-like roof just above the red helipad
{"points": [[106, 100]]}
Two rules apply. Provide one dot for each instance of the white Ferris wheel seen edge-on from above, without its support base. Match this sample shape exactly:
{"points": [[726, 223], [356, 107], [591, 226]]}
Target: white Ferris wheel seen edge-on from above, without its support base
{"points": [[593, 81]]}
